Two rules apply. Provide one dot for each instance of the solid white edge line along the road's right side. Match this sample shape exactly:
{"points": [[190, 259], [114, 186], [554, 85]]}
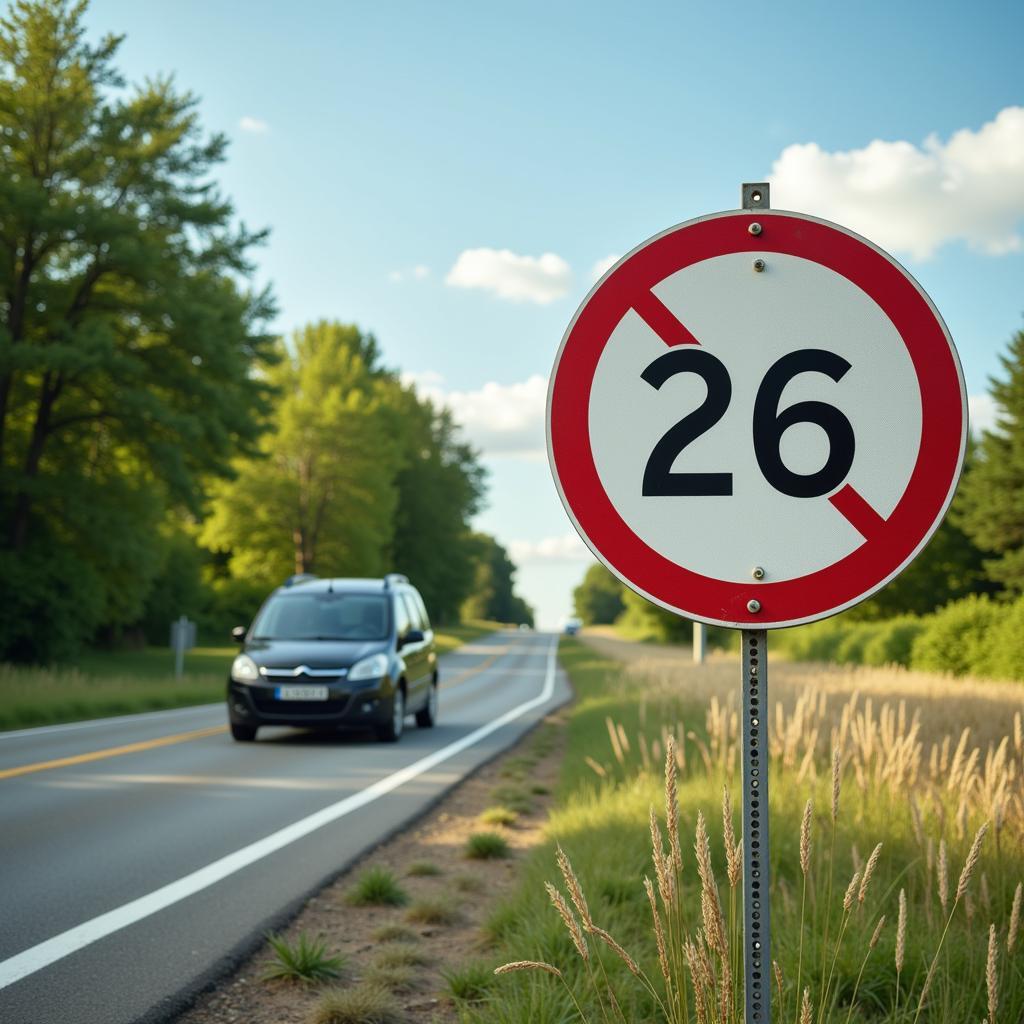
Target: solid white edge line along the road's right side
{"points": [[52, 951]]}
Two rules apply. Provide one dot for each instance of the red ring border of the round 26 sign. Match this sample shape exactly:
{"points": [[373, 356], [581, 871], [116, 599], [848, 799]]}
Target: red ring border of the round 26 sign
{"points": [[863, 572]]}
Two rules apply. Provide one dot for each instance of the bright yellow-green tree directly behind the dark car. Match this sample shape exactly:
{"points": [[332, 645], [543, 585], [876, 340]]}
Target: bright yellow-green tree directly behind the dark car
{"points": [[320, 495]]}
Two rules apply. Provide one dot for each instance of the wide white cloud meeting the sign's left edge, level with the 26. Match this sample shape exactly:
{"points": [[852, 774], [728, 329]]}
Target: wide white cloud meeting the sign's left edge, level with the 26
{"points": [[498, 419]]}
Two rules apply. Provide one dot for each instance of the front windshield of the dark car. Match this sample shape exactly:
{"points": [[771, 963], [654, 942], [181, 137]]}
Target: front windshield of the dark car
{"points": [[323, 617]]}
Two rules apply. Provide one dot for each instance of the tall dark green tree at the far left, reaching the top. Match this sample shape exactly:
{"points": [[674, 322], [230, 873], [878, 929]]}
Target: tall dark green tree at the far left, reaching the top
{"points": [[127, 344]]}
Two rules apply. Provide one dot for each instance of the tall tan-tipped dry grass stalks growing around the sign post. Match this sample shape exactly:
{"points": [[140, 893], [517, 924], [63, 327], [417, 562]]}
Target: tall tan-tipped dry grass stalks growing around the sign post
{"points": [[924, 773]]}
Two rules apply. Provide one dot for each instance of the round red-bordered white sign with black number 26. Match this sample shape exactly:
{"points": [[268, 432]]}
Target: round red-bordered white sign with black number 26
{"points": [[757, 419]]}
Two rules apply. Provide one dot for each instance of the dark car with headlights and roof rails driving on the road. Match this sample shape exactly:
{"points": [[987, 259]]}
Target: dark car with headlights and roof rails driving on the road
{"points": [[331, 654]]}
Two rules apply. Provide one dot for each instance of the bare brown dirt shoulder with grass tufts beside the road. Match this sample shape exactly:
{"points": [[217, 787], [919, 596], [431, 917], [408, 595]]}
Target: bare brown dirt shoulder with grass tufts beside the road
{"points": [[524, 778]]}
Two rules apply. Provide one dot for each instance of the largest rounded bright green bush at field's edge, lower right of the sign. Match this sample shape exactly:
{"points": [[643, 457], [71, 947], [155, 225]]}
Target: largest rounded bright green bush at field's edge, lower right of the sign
{"points": [[958, 638]]}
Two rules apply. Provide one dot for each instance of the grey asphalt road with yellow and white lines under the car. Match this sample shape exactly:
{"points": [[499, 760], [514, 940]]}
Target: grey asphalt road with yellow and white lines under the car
{"points": [[140, 857]]}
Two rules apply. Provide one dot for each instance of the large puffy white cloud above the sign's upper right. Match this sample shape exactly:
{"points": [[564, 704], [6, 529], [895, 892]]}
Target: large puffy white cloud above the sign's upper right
{"points": [[915, 199]]}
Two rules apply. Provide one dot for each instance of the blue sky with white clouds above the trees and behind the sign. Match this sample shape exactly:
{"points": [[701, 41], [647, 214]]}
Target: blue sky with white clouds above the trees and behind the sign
{"points": [[416, 162]]}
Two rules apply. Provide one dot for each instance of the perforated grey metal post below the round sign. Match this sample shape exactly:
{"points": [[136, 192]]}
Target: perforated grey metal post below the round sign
{"points": [[757, 918]]}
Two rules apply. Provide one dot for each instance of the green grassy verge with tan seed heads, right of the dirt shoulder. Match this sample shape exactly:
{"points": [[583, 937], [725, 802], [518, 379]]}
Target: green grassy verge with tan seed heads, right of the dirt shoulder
{"points": [[902, 784]]}
